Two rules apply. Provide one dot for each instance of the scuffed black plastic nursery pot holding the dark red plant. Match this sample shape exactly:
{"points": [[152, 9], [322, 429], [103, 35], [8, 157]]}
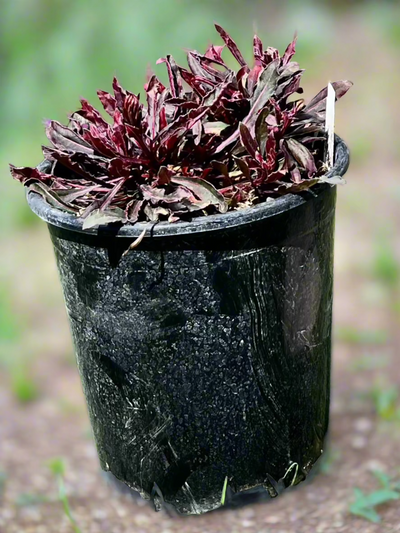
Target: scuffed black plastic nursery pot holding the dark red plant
{"points": [[205, 352]]}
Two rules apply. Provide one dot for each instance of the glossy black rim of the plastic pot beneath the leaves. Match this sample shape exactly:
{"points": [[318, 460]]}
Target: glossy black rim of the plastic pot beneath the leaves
{"points": [[219, 221]]}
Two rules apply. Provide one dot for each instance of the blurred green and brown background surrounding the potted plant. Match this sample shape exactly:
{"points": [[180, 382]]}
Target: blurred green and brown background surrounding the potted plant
{"points": [[54, 51]]}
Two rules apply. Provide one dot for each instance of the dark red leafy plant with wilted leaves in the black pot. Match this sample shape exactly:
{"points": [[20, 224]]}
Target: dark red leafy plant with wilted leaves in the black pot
{"points": [[214, 140]]}
